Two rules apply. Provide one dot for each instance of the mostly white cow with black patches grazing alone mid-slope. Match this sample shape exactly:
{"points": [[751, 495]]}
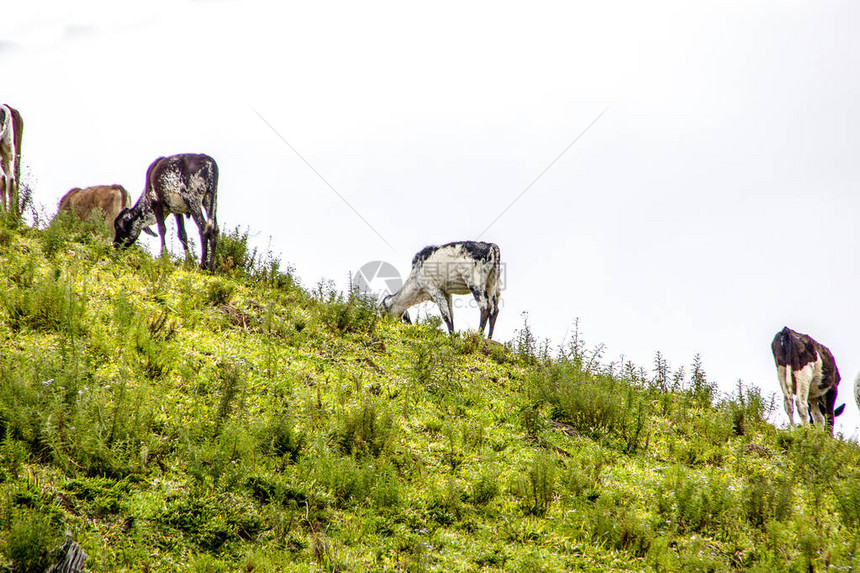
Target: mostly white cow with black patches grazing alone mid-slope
{"points": [[467, 267]]}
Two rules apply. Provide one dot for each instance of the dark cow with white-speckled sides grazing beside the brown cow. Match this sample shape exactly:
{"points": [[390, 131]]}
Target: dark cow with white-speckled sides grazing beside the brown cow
{"points": [[184, 184]]}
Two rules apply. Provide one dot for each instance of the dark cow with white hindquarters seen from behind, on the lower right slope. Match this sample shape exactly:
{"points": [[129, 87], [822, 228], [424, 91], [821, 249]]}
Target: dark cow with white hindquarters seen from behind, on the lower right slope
{"points": [[808, 376]]}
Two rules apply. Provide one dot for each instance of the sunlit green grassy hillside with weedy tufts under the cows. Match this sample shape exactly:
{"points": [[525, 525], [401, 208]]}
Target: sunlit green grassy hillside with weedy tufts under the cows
{"points": [[174, 420]]}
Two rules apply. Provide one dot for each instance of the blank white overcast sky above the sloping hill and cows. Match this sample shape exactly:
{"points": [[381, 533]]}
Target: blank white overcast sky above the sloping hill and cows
{"points": [[714, 201]]}
